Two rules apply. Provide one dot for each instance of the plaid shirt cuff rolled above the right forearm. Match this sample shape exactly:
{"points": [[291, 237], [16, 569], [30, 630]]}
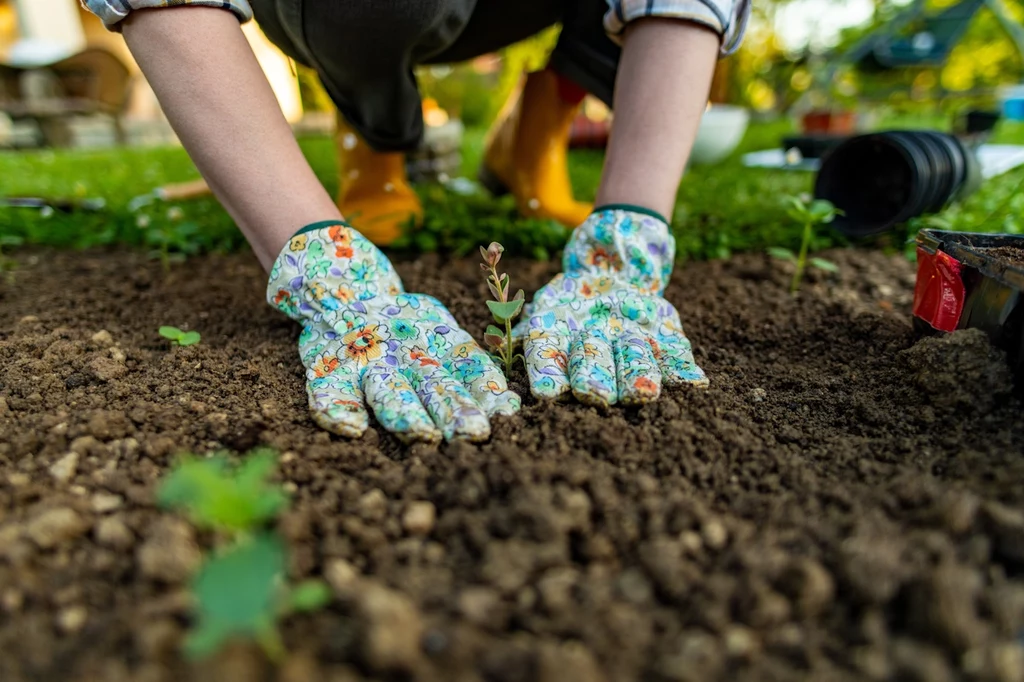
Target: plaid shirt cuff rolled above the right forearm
{"points": [[728, 18]]}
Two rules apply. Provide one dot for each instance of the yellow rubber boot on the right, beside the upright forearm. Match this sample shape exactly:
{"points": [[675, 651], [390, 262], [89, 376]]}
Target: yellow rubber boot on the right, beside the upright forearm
{"points": [[527, 151]]}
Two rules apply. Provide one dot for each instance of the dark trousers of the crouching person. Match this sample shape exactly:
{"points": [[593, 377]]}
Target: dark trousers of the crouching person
{"points": [[365, 51]]}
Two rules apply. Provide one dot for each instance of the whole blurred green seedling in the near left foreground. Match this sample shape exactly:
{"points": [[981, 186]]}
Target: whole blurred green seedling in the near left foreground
{"points": [[240, 590]]}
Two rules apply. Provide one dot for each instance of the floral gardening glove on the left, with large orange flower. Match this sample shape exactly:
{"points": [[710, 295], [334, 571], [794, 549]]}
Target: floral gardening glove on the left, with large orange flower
{"points": [[366, 343]]}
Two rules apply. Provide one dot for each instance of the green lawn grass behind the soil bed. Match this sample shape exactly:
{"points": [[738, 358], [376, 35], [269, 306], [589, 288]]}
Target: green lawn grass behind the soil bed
{"points": [[720, 209]]}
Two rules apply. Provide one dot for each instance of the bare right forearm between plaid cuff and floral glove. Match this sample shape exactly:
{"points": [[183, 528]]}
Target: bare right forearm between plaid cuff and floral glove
{"points": [[661, 93]]}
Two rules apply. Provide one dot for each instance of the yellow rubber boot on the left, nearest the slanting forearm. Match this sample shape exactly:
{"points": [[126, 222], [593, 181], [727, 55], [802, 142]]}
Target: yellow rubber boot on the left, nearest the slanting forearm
{"points": [[374, 194]]}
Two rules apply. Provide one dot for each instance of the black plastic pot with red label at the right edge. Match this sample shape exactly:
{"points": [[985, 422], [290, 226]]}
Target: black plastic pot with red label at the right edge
{"points": [[967, 280]]}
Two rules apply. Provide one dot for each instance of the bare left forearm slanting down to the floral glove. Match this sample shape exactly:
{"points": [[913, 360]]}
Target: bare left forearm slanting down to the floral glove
{"points": [[221, 105]]}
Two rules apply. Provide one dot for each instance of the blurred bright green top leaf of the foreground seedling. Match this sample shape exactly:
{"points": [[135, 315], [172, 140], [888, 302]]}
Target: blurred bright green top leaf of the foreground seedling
{"points": [[216, 496]]}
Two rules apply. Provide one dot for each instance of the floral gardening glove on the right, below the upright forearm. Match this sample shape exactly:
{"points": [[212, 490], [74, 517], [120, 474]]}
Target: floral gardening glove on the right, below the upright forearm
{"points": [[602, 329]]}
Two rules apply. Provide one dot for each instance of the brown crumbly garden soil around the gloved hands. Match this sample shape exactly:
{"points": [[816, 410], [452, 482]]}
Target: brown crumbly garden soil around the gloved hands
{"points": [[842, 504]]}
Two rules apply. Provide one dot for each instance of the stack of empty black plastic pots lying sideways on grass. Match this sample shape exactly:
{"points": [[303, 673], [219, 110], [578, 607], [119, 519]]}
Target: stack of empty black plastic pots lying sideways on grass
{"points": [[884, 180]]}
